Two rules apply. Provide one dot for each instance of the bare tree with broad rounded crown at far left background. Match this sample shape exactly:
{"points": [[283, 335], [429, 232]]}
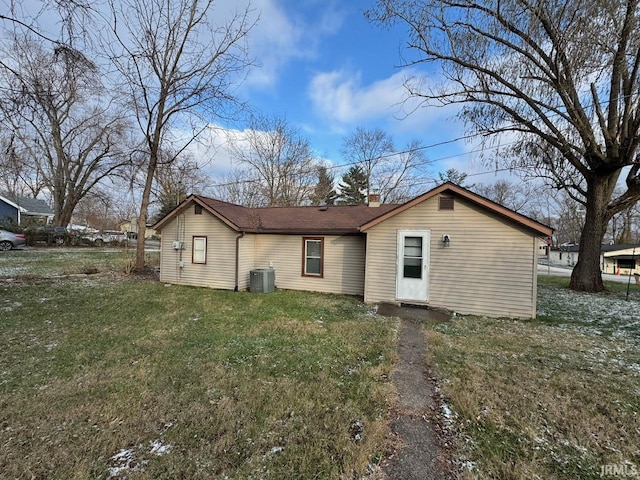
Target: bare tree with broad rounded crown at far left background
{"points": [[62, 126]]}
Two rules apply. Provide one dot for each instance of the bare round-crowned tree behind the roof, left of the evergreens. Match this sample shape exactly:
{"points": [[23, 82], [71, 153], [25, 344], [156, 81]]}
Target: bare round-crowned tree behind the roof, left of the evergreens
{"points": [[279, 159]]}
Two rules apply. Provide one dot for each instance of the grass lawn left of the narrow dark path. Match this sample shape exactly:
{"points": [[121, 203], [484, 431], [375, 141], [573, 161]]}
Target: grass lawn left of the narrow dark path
{"points": [[107, 376]]}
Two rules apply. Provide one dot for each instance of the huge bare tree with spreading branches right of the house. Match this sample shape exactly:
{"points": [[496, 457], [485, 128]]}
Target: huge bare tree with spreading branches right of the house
{"points": [[562, 76]]}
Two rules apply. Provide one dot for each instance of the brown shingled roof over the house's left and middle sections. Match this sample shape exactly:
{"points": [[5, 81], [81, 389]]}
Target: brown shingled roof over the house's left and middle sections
{"points": [[333, 219]]}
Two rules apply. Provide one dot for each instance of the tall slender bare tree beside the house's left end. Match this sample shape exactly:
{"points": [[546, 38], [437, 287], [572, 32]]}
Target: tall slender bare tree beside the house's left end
{"points": [[180, 70]]}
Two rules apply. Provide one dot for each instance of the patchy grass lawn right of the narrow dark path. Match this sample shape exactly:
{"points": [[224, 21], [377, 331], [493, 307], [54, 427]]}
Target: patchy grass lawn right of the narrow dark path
{"points": [[553, 398]]}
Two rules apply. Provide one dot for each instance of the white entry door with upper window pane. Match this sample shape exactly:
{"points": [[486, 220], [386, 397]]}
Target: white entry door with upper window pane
{"points": [[413, 265]]}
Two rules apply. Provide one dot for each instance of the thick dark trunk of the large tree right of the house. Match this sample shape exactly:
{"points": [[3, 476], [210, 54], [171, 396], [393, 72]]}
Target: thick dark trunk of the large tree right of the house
{"points": [[587, 276]]}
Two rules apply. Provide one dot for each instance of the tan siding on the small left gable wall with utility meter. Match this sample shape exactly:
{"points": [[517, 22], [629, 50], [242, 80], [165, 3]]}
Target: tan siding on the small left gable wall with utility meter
{"points": [[219, 270]]}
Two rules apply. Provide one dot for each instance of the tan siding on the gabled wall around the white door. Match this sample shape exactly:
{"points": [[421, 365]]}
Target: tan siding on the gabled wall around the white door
{"points": [[487, 269]]}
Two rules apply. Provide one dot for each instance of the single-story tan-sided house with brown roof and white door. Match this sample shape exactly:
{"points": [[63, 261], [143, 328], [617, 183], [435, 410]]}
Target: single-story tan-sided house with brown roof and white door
{"points": [[448, 248]]}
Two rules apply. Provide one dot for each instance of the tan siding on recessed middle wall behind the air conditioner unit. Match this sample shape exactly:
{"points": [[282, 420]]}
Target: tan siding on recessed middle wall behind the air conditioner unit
{"points": [[343, 263]]}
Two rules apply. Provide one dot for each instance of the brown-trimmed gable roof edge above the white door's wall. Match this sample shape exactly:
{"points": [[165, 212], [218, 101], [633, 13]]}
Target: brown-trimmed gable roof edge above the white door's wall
{"points": [[479, 200]]}
